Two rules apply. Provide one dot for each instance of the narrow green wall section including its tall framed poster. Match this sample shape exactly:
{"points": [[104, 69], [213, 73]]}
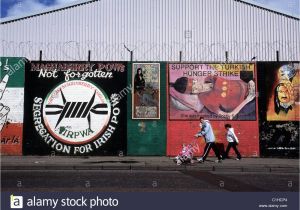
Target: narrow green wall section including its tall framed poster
{"points": [[147, 136]]}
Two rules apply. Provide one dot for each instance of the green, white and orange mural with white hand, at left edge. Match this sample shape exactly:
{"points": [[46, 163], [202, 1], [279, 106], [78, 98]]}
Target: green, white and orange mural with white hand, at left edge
{"points": [[11, 104]]}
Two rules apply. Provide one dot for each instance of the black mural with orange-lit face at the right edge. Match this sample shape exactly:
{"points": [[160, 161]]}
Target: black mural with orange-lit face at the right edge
{"points": [[278, 84]]}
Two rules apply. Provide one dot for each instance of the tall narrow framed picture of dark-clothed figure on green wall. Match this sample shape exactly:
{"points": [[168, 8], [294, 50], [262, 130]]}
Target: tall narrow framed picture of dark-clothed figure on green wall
{"points": [[146, 91]]}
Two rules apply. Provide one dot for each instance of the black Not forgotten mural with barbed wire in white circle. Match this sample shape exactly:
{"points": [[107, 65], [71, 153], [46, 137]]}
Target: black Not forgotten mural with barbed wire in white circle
{"points": [[76, 108]]}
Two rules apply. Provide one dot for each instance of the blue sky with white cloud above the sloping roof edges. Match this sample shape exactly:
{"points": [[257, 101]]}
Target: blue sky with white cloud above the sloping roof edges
{"points": [[11, 8]]}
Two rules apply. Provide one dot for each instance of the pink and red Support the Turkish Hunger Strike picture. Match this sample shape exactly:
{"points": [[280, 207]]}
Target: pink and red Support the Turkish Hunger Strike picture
{"points": [[213, 91]]}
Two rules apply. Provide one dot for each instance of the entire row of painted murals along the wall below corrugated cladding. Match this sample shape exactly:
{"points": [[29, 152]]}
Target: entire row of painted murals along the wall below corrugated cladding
{"points": [[79, 108]]}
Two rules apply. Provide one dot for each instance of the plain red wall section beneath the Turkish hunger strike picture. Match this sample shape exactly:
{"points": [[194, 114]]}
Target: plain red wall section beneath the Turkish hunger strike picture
{"points": [[180, 132]]}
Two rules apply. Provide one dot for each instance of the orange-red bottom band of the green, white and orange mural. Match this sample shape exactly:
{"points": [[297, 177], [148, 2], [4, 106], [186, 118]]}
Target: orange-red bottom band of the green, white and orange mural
{"points": [[11, 139]]}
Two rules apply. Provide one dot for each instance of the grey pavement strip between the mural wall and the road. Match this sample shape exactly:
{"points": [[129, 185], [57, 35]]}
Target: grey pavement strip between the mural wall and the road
{"points": [[154, 163]]}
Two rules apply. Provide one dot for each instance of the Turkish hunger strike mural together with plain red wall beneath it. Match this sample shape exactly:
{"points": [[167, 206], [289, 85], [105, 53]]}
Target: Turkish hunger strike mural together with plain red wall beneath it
{"points": [[221, 93]]}
